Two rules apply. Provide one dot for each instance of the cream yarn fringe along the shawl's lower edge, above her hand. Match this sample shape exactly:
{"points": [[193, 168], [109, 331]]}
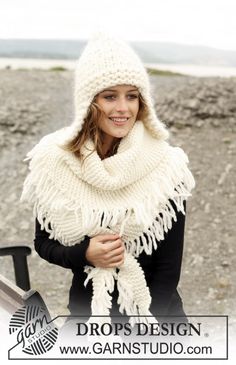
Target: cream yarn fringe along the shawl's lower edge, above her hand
{"points": [[40, 191]]}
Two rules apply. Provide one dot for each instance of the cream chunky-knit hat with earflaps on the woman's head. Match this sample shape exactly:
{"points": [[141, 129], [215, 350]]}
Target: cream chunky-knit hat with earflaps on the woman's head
{"points": [[105, 62]]}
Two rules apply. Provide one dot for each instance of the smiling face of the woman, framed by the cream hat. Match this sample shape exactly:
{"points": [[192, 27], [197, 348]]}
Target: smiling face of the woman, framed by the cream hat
{"points": [[120, 105]]}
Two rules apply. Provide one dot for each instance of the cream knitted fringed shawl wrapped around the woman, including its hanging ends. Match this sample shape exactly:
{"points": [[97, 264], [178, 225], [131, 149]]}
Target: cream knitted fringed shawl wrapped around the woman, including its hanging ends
{"points": [[128, 193]]}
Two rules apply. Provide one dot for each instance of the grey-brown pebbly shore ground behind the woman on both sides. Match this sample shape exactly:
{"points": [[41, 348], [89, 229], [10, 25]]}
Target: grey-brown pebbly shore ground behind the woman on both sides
{"points": [[201, 115]]}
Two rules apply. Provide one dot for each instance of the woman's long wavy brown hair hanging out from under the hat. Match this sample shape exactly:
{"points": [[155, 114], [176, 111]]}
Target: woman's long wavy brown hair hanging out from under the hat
{"points": [[91, 130]]}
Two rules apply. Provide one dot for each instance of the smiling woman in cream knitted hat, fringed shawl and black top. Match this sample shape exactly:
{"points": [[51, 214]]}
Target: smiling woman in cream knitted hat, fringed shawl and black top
{"points": [[109, 192]]}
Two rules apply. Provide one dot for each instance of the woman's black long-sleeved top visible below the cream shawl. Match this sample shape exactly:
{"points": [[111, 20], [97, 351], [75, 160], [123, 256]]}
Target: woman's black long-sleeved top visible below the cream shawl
{"points": [[162, 270]]}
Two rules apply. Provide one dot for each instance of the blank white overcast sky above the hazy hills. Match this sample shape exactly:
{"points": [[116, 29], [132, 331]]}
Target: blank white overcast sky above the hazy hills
{"points": [[195, 22]]}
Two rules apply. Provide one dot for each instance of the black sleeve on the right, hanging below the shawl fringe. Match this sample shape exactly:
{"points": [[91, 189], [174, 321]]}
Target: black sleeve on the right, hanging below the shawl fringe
{"points": [[165, 267]]}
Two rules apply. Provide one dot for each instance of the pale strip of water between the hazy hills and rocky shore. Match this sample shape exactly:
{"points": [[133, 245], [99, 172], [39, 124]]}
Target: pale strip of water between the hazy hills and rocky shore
{"points": [[186, 69]]}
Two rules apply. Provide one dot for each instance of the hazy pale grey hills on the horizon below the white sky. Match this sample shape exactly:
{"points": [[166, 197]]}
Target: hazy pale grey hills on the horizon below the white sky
{"points": [[150, 52]]}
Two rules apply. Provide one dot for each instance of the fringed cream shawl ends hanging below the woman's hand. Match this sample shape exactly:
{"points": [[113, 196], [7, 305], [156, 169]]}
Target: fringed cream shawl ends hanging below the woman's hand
{"points": [[134, 297]]}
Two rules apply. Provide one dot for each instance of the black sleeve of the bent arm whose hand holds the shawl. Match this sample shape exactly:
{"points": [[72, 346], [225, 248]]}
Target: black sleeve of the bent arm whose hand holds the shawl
{"points": [[72, 257]]}
